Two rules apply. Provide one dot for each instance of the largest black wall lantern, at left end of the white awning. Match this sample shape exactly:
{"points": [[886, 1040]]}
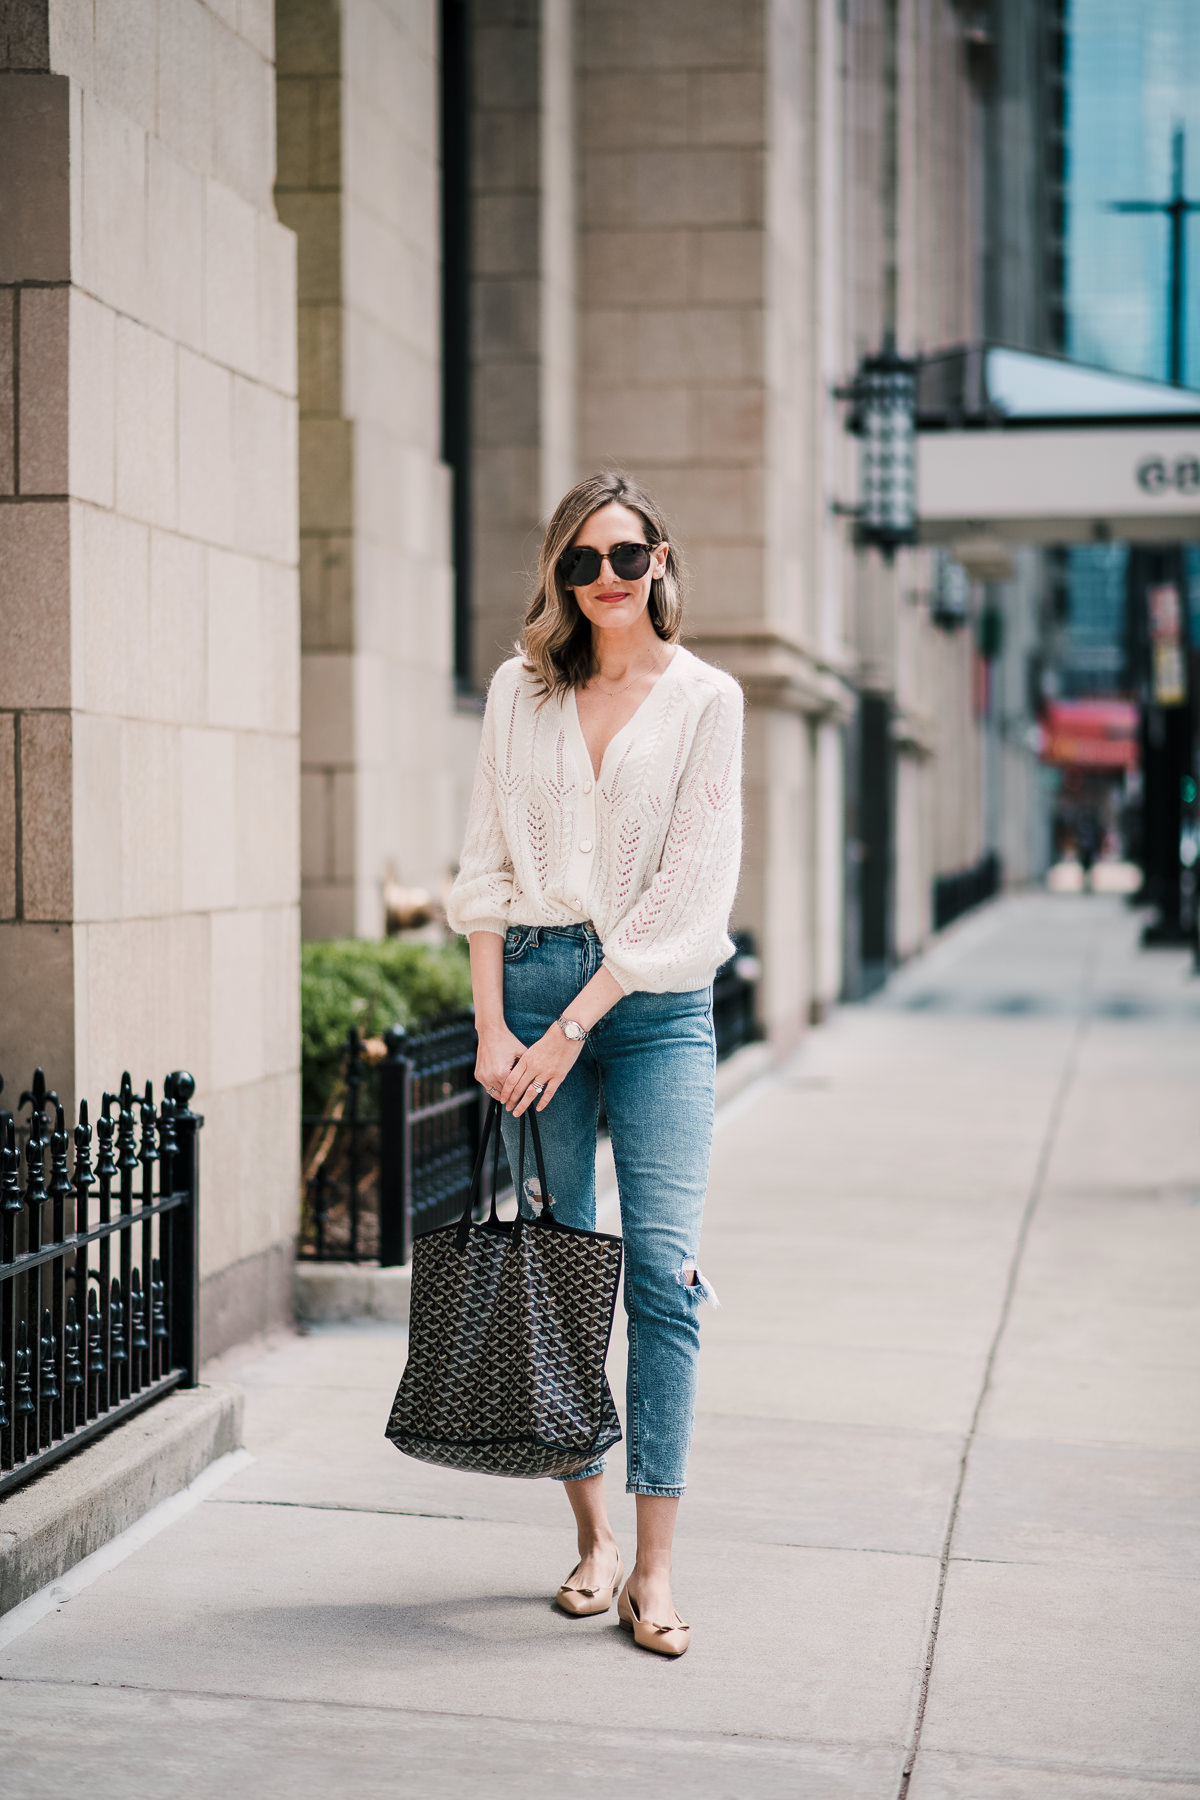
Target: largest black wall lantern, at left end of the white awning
{"points": [[884, 417]]}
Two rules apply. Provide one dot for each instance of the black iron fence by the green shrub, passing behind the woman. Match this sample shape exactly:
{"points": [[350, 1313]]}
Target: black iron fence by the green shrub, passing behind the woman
{"points": [[391, 1155]]}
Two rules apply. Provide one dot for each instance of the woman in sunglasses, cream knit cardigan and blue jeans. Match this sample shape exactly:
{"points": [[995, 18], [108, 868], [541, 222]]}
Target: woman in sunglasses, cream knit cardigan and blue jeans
{"points": [[596, 881]]}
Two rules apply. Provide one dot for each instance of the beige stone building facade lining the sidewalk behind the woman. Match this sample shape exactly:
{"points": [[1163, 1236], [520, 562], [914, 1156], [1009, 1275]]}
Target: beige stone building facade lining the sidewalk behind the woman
{"points": [[240, 660]]}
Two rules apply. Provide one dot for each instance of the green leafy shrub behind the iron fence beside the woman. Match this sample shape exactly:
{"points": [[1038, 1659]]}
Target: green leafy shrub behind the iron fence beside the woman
{"points": [[372, 985]]}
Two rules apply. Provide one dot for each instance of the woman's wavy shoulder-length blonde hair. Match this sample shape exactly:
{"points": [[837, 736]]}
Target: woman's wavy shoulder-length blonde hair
{"points": [[559, 640]]}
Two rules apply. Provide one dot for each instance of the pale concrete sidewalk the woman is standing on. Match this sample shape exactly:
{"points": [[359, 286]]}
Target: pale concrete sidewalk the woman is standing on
{"points": [[945, 1486]]}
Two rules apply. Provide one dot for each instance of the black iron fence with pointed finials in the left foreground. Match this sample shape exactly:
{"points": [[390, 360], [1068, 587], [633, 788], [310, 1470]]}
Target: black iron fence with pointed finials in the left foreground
{"points": [[98, 1266]]}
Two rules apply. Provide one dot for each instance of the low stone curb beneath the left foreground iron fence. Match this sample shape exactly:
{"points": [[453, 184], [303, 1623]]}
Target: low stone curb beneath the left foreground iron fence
{"points": [[103, 1489]]}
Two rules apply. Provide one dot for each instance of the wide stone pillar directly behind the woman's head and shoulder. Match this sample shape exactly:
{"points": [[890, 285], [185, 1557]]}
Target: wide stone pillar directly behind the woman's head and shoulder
{"points": [[703, 357]]}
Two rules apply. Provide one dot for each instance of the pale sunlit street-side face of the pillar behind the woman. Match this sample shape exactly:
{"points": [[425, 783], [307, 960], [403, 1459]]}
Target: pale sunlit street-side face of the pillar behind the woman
{"points": [[810, 467]]}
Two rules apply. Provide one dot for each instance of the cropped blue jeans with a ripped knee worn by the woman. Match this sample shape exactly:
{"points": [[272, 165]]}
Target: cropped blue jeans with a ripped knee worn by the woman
{"points": [[656, 1059]]}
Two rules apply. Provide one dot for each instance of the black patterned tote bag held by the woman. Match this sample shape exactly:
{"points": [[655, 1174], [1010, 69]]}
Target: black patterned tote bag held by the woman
{"points": [[508, 1335]]}
